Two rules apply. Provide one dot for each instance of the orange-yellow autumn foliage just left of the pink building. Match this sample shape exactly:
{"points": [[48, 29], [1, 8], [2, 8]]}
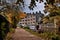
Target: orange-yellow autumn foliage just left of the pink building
{"points": [[10, 15]]}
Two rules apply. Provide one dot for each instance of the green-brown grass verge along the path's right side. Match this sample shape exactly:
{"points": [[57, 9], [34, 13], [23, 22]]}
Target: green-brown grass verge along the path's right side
{"points": [[45, 35]]}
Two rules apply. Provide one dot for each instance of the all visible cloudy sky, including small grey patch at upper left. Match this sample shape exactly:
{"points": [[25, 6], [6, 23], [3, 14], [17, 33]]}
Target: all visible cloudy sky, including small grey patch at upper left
{"points": [[40, 6]]}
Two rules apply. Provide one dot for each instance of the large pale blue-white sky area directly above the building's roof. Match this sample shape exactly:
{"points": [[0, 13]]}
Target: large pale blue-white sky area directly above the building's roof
{"points": [[40, 7]]}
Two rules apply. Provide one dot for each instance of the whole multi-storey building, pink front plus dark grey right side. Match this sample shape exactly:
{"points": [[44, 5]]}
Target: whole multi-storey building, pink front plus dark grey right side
{"points": [[31, 19]]}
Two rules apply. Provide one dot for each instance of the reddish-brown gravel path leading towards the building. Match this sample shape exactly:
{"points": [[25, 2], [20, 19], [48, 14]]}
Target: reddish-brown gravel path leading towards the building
{"points": [[21, 34]]}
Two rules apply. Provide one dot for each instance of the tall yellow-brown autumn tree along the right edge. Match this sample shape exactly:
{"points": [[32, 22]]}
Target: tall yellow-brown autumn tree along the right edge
{"points": [[54, 9]]}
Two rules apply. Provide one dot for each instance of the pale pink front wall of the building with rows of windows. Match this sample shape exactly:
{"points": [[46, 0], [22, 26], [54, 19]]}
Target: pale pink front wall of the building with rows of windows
{"points": [[30, 19]]}
